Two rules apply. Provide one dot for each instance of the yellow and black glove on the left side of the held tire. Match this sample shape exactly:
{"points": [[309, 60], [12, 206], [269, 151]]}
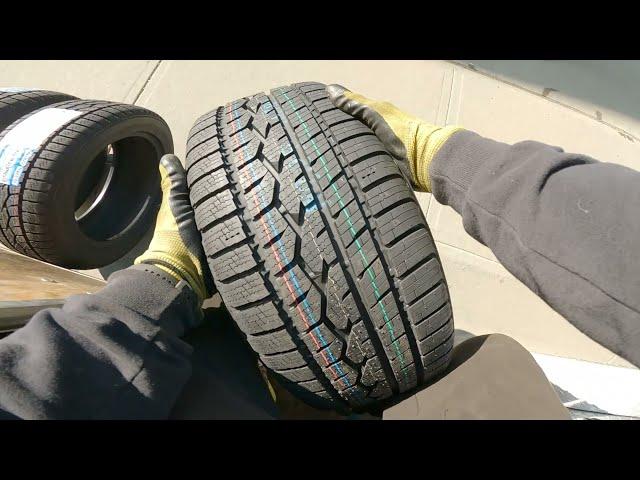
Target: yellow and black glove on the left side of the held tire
{"points": [[176, 247]]}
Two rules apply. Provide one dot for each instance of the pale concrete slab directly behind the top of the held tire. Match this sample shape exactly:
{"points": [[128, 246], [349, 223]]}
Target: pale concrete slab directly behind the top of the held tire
{"points": [[181, 91]]}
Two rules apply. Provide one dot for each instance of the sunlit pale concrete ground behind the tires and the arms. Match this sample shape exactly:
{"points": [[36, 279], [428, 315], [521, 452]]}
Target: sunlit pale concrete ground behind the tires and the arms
{"points": [[587, 107]]}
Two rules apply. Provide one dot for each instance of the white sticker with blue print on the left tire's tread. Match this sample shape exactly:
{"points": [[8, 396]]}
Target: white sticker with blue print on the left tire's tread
{"points": [[22, 141]]}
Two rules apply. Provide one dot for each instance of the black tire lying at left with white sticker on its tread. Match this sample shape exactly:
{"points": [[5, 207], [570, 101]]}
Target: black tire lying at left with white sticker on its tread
{"points": [[38, 215]]}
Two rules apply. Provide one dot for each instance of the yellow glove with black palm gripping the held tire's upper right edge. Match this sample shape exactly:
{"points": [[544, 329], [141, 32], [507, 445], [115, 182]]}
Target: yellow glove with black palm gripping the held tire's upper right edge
{"points": [[413, 142]]}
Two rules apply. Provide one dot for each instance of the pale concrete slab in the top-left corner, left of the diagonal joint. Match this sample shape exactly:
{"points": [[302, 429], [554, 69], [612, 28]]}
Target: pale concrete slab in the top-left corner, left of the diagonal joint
{"points": [[119, 81]]}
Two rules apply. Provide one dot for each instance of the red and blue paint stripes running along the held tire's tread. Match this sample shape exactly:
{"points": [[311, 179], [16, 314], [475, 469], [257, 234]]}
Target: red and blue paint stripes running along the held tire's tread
{"points": [[280, 255]]}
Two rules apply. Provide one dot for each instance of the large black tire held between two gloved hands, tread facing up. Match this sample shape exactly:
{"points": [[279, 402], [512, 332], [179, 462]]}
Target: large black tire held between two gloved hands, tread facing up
{"points": [[319, 248]]}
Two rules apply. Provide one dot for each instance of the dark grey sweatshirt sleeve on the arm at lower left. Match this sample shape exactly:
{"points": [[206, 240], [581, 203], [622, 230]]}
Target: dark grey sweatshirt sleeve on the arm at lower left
{"points": [[112, 354]]}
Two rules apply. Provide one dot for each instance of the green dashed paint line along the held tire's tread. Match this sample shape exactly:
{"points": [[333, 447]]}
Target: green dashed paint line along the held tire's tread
{"points": [[363, 256]]}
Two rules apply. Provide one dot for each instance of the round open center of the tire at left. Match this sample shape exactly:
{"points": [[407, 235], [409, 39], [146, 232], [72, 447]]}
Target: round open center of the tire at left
{"points": [[116, 188]]}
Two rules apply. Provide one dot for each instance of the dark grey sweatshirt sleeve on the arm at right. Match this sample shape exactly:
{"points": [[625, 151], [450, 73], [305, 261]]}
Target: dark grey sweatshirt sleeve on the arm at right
{"points": [[564, 224]]}
